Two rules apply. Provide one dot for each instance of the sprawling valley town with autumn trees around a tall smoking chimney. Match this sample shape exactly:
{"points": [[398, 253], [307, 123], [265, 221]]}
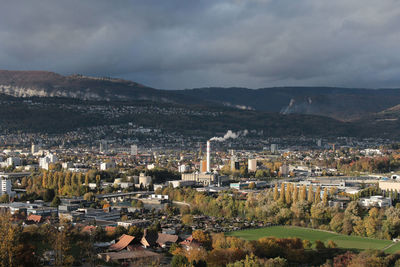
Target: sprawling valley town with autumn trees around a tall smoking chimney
{"points": [[142, 205]]}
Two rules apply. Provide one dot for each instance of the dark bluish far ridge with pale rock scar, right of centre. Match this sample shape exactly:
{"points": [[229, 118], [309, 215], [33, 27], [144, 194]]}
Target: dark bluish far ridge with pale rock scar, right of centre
{"points": [[338, 103]]}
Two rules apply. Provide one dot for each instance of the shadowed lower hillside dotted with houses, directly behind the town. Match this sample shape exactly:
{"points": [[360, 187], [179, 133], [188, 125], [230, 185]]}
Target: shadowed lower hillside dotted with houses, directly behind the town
{"points": [[60, 115]]}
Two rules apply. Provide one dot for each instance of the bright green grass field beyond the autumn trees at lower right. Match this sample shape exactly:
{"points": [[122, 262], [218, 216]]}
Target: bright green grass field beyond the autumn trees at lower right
{"points": [[343, 241]]}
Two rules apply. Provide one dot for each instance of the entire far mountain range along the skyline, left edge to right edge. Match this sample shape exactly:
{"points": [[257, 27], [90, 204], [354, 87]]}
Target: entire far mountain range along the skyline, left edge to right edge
{"points": [[343, 104]]}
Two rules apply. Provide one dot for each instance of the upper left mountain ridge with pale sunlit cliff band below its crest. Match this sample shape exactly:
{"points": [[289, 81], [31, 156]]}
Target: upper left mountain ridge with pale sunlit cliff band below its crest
{"points": [[50, 84]]}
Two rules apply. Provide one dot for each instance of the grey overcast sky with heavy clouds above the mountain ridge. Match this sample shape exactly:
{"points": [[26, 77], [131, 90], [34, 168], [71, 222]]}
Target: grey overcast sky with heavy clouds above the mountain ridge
{"points": [[171, 44]]}
